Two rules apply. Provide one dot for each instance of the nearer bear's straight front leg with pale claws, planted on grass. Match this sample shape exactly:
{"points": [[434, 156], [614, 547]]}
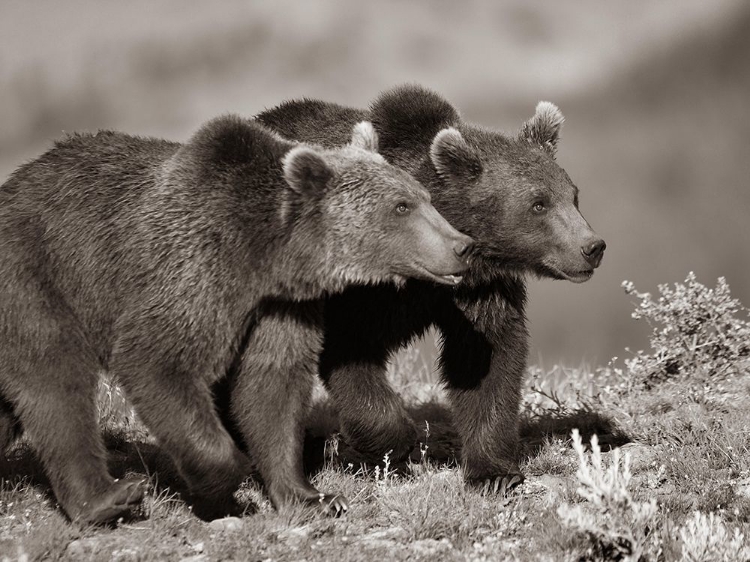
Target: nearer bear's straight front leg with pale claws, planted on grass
{"points": [[270, 398]]}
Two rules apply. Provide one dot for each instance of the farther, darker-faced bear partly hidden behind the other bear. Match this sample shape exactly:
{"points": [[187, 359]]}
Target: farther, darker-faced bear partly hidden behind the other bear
{"points": [[521, 208]]}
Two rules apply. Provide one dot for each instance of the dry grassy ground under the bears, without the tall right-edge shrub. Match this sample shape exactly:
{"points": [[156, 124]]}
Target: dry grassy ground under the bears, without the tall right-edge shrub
{"points": [[689, 458]]}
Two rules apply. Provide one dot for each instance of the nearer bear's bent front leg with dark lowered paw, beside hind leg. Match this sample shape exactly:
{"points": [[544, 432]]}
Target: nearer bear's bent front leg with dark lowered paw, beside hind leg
{"points": [[165, 376]]}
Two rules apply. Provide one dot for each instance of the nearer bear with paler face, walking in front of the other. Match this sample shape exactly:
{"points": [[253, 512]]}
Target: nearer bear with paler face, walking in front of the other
{"points": [[158, 262]]}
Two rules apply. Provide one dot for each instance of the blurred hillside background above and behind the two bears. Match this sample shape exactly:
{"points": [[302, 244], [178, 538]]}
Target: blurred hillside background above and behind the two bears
{"points": [[656, 96]]}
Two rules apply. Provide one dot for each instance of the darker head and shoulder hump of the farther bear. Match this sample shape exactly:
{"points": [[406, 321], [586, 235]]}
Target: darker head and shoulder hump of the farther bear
{"points": [[506, 192]]}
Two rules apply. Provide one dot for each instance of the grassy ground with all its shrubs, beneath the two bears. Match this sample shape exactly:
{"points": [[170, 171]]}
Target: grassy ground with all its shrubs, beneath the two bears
{"points": [[632, 461]]}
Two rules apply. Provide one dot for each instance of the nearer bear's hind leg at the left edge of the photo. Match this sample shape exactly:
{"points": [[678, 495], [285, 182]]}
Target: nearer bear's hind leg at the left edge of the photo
{"points": [[50, 376]]}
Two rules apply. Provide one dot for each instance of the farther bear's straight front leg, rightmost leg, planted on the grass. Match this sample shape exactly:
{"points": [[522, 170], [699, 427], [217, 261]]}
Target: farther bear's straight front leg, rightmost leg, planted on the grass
{"points": [[483, 362]]}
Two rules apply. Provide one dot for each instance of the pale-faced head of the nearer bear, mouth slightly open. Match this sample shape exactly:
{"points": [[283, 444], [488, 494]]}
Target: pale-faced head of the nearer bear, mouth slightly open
{"points": [[374, 222]]}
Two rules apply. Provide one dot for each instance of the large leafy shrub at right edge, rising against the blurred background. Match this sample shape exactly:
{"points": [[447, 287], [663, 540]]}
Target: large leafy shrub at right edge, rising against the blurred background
{"points": [[696, 330]]}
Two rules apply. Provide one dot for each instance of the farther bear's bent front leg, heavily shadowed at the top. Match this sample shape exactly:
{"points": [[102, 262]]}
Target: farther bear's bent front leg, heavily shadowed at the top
{"points": [[364, 326]]}
